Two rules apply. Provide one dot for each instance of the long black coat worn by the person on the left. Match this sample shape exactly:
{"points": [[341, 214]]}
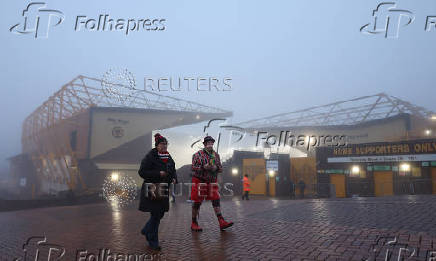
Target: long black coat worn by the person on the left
{"points": [[149, 170]]}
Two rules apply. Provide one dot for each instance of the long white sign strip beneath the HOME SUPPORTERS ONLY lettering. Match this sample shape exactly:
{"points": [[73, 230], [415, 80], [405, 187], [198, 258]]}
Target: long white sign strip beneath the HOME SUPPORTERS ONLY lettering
{"points": [[392, 158]]}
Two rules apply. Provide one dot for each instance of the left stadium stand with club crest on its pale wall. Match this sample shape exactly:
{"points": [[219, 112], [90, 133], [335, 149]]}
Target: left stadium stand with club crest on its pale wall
{"points": [[90, 130]]}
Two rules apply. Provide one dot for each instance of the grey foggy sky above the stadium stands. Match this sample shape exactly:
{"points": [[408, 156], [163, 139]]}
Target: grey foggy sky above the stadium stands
{"points": [[281, 55]]}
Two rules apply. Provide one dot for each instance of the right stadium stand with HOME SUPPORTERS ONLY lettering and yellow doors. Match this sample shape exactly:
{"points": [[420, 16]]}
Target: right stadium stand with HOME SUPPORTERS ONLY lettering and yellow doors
{"points": [[397, 138]]}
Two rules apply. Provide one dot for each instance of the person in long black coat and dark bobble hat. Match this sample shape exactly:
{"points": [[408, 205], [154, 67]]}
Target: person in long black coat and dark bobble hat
{"points": [[158, 171]]}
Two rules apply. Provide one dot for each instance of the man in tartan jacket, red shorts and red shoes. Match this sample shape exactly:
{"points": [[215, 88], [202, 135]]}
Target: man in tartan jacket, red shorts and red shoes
{"points": [[206, 165]]}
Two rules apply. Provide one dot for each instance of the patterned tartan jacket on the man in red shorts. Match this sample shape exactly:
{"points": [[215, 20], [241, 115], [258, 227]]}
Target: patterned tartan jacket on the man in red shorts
{"points": [[199, 160]]}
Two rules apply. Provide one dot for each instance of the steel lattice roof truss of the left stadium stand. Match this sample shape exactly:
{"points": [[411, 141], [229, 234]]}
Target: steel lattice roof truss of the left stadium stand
{"points": [[84, 92]]}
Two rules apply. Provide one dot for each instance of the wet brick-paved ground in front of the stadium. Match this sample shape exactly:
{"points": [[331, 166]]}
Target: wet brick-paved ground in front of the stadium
{"points": [[265, 229]]}
